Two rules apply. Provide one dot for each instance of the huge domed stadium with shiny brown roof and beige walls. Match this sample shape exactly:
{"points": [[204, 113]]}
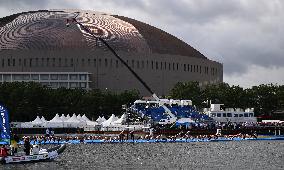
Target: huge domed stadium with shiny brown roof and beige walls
{"points": [[38, 46]]}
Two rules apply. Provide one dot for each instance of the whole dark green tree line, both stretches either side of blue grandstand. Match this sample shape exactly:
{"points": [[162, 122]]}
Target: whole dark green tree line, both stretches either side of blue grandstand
{"points": [[26, 100]]}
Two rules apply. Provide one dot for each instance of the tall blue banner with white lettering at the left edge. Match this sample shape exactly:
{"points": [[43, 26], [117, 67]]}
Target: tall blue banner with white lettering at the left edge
{"points": [[4, 125]]}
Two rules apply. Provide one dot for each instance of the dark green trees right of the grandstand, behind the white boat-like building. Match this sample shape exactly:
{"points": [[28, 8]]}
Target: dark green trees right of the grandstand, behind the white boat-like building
{"points": [[264, 98]]}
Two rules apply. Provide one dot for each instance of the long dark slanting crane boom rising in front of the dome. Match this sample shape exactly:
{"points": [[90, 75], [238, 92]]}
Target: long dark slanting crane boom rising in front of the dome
{"points": [[114, 53]]}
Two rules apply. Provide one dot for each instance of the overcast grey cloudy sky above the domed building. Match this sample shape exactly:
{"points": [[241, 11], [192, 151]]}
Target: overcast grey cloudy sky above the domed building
{"points": [[245, 35]]}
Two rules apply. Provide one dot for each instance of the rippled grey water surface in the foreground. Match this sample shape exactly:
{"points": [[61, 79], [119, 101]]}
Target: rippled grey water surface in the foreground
{"points": [[198, 155]]}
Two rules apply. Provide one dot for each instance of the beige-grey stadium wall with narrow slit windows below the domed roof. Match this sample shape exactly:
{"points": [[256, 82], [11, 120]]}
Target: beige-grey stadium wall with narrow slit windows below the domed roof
{"points": [[108, 73]]}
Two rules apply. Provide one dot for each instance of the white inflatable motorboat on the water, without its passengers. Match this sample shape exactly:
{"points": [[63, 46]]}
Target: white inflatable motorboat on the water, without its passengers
{"points": [[43, 155]]}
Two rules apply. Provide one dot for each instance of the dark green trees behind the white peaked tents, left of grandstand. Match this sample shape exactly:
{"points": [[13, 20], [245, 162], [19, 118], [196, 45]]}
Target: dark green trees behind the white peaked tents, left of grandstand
{"points": [[26, 100]]}
